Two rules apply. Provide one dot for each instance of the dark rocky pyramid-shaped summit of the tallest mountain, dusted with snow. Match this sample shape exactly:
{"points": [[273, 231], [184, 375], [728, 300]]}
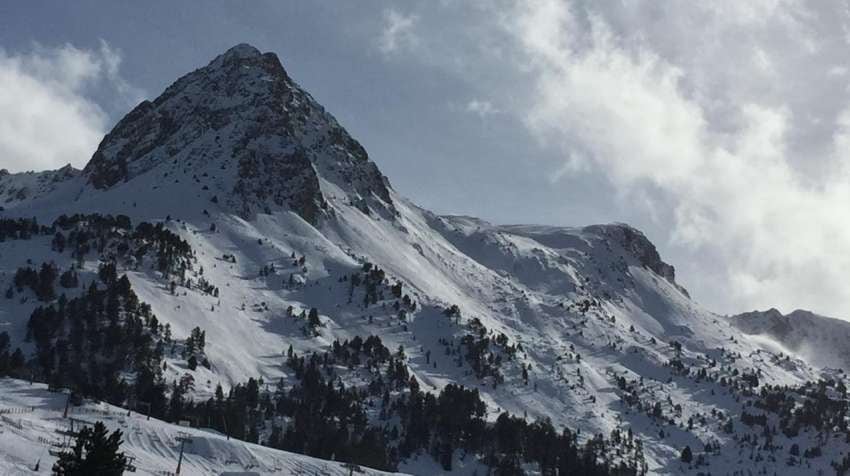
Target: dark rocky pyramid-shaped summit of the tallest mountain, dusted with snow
{"points": [[259, 140]]}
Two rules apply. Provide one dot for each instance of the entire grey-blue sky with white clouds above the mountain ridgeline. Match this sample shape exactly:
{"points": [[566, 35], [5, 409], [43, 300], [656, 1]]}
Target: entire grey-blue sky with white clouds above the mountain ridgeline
{"points": [[721, 128]]}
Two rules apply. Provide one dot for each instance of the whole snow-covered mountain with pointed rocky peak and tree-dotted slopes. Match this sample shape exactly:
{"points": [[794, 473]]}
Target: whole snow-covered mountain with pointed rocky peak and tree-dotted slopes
{"points": [[265, 252]]}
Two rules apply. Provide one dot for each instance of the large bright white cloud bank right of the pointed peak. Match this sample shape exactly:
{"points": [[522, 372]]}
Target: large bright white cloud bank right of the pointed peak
{"points": [[725, 113]]}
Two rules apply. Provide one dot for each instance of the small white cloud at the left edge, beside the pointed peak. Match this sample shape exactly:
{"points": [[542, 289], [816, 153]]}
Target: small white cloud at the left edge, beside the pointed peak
{"points": [[48, 116]]}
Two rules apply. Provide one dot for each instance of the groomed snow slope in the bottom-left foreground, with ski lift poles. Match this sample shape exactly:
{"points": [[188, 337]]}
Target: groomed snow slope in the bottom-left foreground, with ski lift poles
{"points": [[31, 416]]}
